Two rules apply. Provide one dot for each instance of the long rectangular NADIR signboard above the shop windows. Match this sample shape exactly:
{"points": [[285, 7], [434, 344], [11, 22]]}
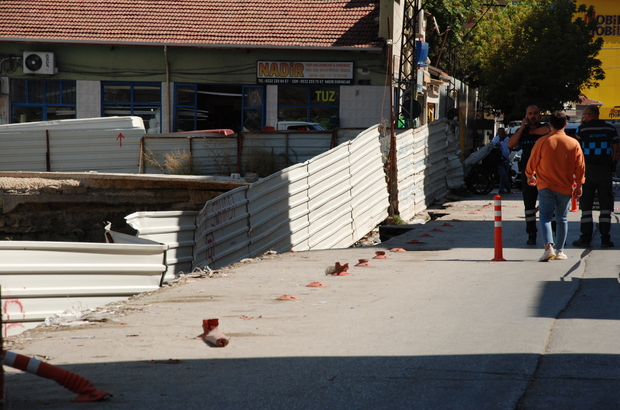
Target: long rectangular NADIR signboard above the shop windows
{"points": [[279, 72]]}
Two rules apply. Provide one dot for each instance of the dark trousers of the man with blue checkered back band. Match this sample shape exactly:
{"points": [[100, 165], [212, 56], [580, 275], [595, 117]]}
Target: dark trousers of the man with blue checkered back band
{"points": [[598, 178]]}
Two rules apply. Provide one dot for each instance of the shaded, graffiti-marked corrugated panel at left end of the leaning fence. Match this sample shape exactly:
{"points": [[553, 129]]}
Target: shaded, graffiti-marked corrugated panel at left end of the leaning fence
{"points": [[222, 226]]}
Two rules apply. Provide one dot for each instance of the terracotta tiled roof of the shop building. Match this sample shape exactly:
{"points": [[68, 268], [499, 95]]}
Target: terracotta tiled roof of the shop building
{"points": [[276, 23]]}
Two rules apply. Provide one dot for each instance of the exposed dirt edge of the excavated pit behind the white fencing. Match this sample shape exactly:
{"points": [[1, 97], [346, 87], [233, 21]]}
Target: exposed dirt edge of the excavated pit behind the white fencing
{"points": [[74, 209]]}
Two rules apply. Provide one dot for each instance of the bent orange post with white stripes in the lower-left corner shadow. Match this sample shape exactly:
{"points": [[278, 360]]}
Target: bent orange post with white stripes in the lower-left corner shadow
{"points": [[67, 379]]}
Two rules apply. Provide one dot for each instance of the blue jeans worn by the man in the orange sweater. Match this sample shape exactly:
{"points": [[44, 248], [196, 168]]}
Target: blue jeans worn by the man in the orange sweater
{"points": [[549, 202]]}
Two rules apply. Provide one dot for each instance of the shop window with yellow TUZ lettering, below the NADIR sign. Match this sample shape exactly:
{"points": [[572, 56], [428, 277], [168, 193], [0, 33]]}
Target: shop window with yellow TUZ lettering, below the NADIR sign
{"points": [[319, 104]]}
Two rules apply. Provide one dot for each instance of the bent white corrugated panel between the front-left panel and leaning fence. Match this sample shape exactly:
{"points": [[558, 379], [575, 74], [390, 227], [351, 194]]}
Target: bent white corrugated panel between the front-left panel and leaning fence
{"points": [[173, 228]]}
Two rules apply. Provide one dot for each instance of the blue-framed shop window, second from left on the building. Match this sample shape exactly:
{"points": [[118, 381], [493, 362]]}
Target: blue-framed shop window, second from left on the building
{"points": [[133, 99]]}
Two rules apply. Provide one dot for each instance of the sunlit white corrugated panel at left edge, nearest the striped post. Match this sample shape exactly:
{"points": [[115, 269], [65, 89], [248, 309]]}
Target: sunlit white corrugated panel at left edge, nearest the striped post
{"points": [[40, 279]]}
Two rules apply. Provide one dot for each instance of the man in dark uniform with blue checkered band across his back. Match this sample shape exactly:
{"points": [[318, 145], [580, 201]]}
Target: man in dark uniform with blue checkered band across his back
{"points": [[599, 141]]}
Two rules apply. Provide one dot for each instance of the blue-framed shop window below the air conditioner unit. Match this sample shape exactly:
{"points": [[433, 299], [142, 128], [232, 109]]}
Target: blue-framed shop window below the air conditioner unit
{"points": [[42, 100]]}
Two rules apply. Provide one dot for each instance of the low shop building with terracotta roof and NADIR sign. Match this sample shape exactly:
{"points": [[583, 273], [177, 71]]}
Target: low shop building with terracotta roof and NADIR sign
{"points": [[184, 66]]}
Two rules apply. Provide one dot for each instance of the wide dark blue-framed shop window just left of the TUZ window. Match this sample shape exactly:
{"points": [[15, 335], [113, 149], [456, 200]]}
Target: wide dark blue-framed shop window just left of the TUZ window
{"points": [[209, 106]]}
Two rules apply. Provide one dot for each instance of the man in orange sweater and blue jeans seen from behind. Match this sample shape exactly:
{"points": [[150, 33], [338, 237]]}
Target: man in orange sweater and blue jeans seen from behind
{"points": [[556, 161]]}
